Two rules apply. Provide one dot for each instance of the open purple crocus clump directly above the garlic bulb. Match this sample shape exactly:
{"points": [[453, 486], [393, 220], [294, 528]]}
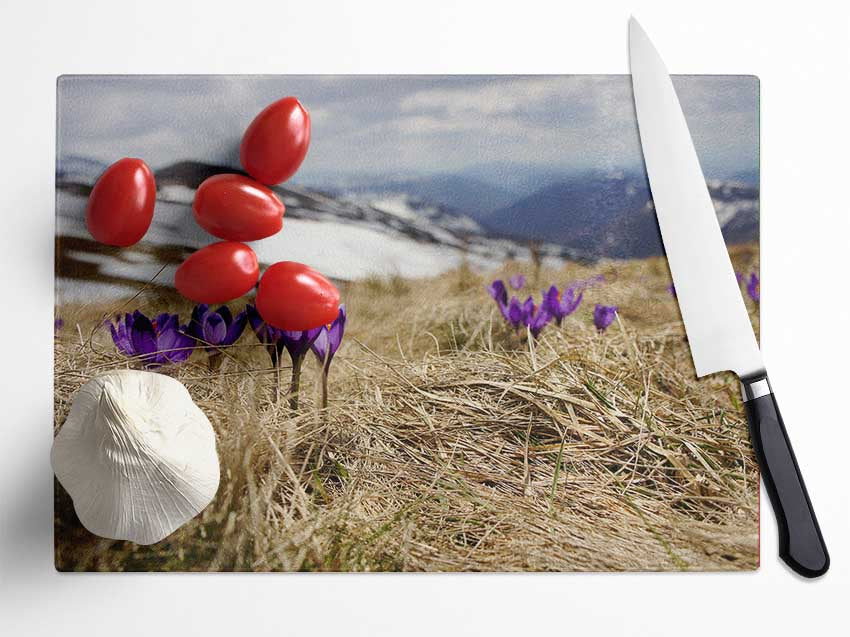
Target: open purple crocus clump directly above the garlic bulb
{"points": [[154, 342]]}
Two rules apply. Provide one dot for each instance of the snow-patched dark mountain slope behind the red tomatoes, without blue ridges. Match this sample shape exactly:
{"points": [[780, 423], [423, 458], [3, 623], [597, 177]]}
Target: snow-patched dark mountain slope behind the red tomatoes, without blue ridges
{"points": [[345, 237]]}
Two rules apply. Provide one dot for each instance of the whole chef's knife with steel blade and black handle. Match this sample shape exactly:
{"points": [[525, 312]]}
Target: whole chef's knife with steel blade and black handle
{"points": [[719, 331]]}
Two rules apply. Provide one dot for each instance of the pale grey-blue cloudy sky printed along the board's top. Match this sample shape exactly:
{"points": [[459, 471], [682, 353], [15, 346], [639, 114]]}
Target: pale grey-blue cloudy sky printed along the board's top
{"points": [[397, 124]]}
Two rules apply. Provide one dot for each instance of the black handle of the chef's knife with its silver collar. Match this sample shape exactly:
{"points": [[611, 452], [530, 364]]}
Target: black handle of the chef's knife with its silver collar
{"points": [[801, 544]]}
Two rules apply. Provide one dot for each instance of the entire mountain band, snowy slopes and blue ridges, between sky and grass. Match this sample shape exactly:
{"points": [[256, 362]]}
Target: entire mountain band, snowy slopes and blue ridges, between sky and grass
{"points": [[380, 230]]}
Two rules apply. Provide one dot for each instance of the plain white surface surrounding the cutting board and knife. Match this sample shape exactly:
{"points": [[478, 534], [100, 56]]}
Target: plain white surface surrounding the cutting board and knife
{"points": [[801, 55]]}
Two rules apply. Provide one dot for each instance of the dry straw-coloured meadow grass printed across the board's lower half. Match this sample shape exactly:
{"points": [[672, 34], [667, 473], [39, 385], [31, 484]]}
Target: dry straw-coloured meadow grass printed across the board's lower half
{"points": [[453, 444]]}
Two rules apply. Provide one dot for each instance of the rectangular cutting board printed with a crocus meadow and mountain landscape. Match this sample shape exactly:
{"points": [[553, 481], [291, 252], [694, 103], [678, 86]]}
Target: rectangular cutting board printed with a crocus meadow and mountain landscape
{"points": [[511, 386]]}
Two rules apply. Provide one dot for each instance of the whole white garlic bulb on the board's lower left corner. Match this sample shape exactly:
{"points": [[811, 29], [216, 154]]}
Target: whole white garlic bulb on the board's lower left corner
{"points": [[137, 456]]}
